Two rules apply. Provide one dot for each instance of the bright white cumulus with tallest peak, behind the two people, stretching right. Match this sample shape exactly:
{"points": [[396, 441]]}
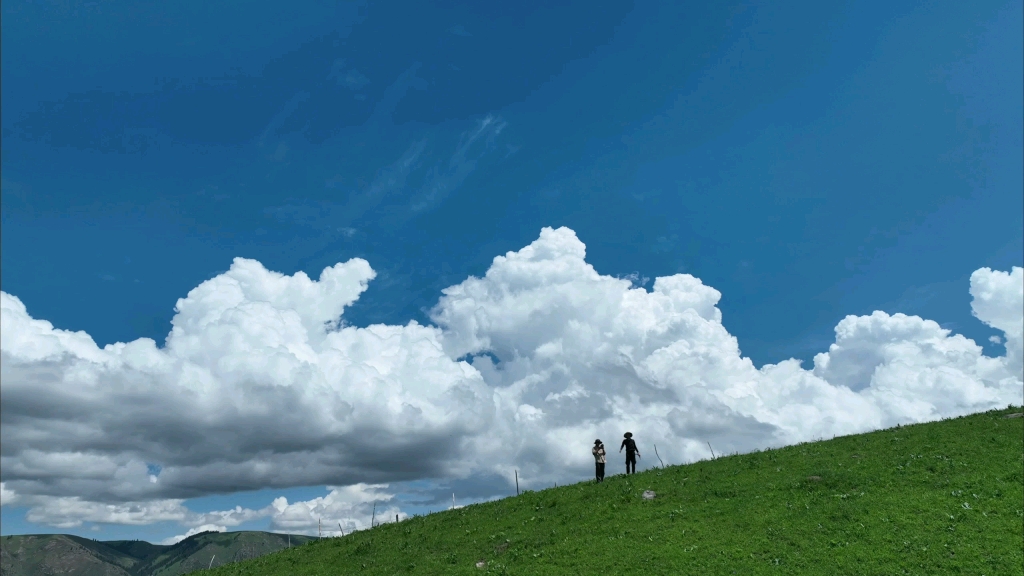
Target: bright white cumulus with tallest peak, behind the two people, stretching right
{"points": [[573, 355]]}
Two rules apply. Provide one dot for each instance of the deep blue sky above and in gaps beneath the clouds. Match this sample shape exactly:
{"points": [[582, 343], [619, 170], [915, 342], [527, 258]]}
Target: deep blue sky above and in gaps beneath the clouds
{"points": [[809, 161]]}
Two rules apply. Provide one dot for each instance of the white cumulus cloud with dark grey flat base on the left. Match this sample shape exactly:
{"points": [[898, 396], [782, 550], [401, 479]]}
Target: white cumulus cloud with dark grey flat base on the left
{"points": [[260, 386]]}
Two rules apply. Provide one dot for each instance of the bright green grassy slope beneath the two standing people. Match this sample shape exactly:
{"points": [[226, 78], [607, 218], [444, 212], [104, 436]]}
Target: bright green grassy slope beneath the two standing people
{"points": [[945, 498]]}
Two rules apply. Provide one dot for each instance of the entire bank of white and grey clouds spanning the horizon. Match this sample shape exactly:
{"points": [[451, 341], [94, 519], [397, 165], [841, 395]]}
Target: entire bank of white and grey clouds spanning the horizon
{"points": [[263, 385]]}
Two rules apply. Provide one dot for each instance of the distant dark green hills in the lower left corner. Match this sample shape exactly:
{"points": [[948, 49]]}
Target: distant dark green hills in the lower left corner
{"points": [[73, 556]]}
